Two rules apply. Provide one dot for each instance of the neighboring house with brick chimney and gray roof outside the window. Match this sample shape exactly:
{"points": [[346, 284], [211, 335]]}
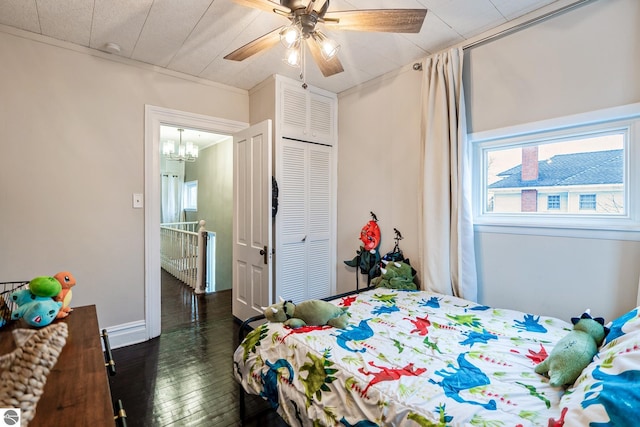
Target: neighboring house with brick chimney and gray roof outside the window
{"points": [[577, 183]]}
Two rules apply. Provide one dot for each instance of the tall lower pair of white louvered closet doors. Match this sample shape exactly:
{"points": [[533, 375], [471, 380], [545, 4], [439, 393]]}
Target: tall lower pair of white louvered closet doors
{"points": [[303, 224]]}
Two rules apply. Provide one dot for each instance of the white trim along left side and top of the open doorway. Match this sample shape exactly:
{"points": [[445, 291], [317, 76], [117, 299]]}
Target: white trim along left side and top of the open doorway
{"points": [[154, 117]]}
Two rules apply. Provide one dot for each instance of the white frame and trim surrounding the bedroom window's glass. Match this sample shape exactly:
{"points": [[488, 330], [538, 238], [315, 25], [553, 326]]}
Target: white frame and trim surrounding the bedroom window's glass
{"points": [[624, 228]]}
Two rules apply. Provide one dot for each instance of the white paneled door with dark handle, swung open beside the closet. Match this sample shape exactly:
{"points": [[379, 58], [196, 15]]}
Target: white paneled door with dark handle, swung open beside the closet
{"points": [[252, 247]]}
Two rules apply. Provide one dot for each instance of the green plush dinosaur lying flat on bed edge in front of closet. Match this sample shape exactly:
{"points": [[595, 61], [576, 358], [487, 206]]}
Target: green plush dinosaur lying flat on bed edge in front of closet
{"points": [[307, 313]]}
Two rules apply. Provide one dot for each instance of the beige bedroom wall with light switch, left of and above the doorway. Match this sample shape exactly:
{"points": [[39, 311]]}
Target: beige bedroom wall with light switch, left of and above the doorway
{"points": [[72, 142]]}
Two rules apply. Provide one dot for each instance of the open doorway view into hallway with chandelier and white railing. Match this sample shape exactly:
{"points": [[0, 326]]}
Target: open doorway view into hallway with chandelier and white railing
{"points": [[196, 191]]}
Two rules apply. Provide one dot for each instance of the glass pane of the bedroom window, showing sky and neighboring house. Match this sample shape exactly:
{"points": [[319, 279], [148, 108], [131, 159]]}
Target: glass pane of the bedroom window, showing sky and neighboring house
{"points": [[581, 174]]}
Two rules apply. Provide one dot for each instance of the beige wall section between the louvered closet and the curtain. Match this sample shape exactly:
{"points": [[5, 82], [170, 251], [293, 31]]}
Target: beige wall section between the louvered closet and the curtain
{"points": [[378, 166]]}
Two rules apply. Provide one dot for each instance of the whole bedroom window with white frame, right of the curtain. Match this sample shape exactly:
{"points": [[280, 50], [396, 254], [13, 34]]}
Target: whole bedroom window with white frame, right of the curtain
{"points": [[569, 173]]}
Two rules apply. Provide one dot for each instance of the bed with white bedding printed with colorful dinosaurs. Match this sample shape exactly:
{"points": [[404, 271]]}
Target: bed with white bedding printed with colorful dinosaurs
{"points": [[417, 358]]}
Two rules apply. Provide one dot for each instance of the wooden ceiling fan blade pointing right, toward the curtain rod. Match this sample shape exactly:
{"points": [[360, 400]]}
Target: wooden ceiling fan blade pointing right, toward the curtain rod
{"points": [[384, 20]]}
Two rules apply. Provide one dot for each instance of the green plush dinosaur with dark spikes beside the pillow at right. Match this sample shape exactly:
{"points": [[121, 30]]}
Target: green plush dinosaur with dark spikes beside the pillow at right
{"points": [[574, 351]]}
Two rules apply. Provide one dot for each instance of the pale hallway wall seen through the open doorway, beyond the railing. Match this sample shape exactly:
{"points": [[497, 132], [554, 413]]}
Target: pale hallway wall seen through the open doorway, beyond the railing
{"points": [[214, 172]]}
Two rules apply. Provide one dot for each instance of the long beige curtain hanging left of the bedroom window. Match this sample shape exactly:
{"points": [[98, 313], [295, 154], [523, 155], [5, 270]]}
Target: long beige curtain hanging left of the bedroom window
{"points": [[446, 238]]}
